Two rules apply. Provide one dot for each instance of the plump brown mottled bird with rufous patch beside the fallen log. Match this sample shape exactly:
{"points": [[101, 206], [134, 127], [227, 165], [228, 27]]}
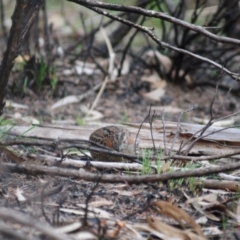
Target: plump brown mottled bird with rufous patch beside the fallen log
{"points": [[113, 137]]}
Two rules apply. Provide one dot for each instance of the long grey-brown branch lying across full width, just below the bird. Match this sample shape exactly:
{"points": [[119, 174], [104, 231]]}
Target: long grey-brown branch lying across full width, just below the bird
{"points": [[56, 171]]}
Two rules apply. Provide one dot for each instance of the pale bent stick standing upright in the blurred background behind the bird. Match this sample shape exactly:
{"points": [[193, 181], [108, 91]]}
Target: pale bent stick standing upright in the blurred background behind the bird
{"points": [[110, 69]]}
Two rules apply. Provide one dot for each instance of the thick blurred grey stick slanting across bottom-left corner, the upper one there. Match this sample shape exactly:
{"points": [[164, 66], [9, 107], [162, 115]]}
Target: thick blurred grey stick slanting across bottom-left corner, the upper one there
{"points": [[15, 216]]}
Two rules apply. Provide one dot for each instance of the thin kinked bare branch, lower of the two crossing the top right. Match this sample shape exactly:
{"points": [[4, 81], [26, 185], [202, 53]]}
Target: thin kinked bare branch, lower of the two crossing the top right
{"points": [[163, 44]]}
